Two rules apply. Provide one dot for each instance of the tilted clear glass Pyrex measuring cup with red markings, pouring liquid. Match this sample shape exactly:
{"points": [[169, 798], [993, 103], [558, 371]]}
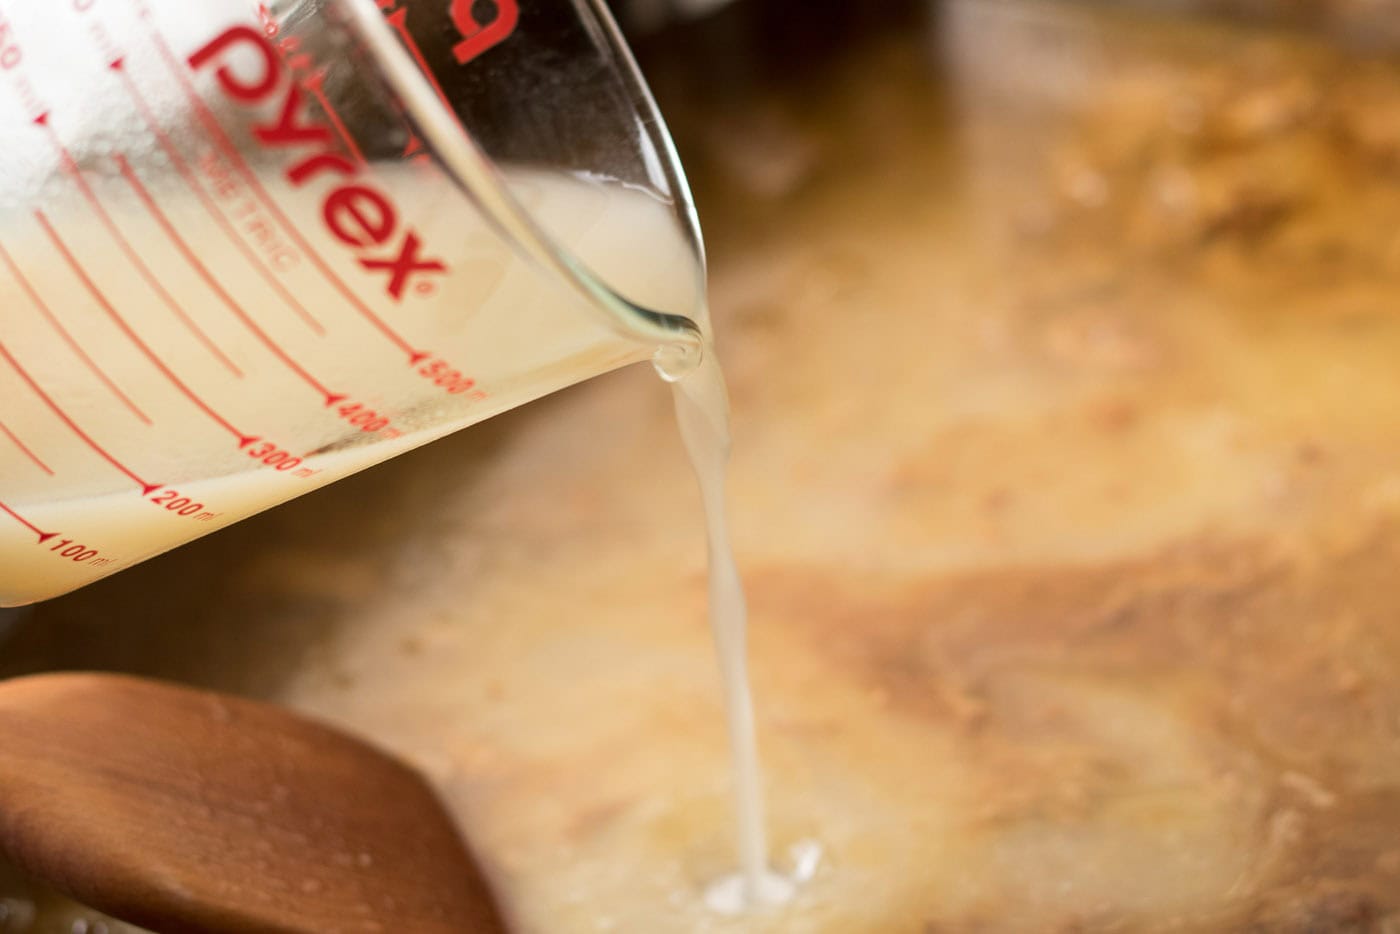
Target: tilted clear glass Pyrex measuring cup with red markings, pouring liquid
{"points": [[250, 250]]}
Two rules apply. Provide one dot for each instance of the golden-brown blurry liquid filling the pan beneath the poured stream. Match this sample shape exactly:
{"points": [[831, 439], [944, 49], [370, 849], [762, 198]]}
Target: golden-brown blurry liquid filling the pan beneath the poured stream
{"points": [[1066, 384]]}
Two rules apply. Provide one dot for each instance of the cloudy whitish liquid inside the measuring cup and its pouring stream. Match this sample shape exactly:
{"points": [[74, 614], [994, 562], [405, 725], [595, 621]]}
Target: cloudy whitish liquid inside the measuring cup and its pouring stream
{"points": [[61, 487]]}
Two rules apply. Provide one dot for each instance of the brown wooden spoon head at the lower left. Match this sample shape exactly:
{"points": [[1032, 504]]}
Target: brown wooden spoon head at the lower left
{"points": [[190, 811]]}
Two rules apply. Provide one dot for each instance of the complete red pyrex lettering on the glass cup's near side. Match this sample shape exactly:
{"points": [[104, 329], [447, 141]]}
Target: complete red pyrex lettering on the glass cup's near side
{"points": [[355, 212]]}
